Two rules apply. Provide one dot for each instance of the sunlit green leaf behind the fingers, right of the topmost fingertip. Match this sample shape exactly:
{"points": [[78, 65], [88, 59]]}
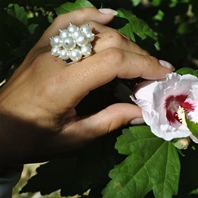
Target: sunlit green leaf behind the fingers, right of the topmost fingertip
{"points": [[135, 26]]}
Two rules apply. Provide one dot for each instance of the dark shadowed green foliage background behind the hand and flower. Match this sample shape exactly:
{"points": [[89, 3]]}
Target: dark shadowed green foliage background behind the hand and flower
{"points": [[174, 22]]}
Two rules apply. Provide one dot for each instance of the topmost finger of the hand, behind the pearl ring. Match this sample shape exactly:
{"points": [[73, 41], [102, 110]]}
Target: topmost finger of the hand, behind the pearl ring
{"points": [[76, 17]]}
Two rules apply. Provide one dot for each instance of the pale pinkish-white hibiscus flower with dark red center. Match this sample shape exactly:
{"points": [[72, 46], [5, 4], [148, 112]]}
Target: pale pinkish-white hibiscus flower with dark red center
{"points": [[161, 100]]}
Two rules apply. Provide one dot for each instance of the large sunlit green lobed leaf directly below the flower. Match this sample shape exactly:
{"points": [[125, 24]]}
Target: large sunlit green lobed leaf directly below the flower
{"points": [[151, 164]]}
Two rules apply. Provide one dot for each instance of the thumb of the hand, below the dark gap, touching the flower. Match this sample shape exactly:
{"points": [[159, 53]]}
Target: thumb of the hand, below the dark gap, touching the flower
{"points": [[104, 121]]}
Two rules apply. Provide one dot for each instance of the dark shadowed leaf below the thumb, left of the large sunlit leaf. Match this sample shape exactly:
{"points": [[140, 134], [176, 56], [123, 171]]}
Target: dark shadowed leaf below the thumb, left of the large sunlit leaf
{"points": [[87, 170]]}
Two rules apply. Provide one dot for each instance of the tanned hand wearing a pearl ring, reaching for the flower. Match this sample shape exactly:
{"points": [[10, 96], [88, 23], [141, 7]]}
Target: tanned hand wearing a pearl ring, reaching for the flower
{"points": [[38, 119]]}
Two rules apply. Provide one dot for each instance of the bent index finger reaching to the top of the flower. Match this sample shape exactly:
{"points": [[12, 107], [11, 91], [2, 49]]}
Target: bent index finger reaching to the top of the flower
{"points": [[104, 66]]}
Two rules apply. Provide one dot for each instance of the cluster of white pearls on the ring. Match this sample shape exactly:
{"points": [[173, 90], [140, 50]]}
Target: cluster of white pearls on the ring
{"points": [[73, 43]]}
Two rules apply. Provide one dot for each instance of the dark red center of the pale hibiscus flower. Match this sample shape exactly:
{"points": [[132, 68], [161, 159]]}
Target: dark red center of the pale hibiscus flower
{"points": [[172, 104]]}
